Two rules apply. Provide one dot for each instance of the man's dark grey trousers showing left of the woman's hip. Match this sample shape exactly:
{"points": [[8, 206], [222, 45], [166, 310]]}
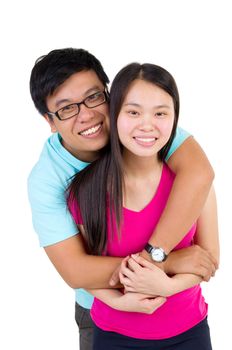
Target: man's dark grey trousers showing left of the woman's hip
{"points": [[85, 325]]}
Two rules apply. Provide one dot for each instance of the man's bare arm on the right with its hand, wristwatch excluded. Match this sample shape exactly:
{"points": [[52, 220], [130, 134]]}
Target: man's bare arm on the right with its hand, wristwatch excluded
{"points": [[194, 177]]}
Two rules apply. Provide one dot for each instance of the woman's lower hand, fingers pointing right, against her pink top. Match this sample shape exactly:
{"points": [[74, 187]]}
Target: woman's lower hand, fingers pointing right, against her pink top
{"points": [[136, 302]]}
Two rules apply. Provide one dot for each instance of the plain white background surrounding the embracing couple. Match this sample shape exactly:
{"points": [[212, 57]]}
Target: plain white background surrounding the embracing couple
{"points": [[192, 39]]}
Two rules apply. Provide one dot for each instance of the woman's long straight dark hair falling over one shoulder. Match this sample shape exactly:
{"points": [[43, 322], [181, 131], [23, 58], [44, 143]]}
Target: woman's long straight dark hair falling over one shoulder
{"points": [[100, 185]]}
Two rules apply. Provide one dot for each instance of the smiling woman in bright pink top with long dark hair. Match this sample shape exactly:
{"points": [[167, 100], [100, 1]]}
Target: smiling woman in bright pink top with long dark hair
{"points": [[119, 199]]}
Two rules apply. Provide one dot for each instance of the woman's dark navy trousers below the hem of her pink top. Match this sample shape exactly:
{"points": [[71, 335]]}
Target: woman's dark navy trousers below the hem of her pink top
{"points": [[196, 338]]}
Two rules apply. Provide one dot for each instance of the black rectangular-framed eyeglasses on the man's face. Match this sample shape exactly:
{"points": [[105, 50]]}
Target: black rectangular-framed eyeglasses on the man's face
{"points": [[73, 109]]}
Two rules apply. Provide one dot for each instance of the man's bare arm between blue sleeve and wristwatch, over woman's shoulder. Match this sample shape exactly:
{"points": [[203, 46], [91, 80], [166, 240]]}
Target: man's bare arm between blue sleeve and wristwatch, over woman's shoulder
{"points": [[194, 176]]}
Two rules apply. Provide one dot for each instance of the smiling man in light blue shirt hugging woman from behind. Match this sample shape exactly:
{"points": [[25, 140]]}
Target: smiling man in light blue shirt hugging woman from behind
{"points": [[69, 88]]}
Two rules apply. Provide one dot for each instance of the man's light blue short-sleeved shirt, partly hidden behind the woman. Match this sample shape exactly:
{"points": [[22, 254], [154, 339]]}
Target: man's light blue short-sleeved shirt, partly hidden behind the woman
{"points": [[47, 183]]}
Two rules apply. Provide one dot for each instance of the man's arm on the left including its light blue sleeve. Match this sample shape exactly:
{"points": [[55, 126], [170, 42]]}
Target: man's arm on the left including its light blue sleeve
{"points": [[59, 236]]}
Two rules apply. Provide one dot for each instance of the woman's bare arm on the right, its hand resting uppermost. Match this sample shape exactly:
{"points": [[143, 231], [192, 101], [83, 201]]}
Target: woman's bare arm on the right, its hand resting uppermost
{"points": [[139, 275]]}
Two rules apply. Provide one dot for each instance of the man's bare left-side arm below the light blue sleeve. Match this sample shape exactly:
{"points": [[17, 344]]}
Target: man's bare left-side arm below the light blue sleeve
{"points": [[77, 268]]}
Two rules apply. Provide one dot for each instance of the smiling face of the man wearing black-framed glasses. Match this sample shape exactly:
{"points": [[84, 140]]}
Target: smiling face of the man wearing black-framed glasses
{"points": [[86, 133]]}
